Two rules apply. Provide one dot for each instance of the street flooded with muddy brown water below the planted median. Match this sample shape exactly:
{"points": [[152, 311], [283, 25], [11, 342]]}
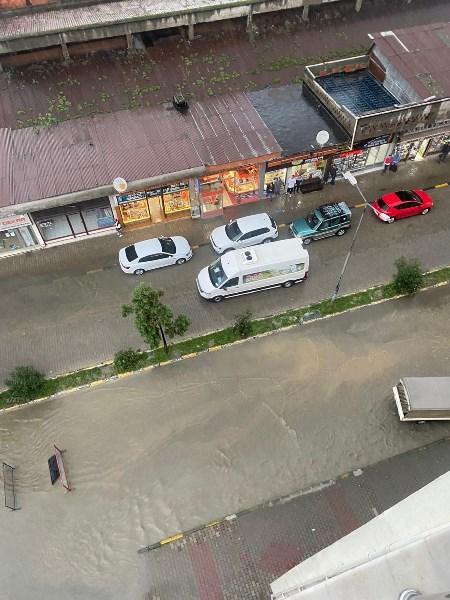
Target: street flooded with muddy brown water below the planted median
{"points": [[181, 445]]}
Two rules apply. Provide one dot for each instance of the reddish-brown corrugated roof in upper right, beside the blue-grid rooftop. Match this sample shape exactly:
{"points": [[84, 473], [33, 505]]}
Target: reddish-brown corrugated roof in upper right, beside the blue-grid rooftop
{"points": [[421, 55]]}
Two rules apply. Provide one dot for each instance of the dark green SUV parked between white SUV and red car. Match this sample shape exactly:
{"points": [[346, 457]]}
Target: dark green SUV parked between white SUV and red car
{"points": [[326, 220]]}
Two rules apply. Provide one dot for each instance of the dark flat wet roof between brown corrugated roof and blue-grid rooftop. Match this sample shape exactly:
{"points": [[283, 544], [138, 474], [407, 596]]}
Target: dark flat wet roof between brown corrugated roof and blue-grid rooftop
{"points": [[295, 116]]}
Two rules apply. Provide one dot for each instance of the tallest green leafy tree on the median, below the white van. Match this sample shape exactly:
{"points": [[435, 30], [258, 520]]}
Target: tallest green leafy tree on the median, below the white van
{"points": [[153, 319]]}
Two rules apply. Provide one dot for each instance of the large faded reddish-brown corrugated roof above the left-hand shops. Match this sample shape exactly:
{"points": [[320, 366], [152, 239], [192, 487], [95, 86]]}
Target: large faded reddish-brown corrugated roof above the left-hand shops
{"points": [[88, 153]]}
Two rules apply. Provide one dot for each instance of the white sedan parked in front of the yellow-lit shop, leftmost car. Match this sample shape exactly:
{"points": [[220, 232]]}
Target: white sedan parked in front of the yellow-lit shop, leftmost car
{"points": [[154, 253]]}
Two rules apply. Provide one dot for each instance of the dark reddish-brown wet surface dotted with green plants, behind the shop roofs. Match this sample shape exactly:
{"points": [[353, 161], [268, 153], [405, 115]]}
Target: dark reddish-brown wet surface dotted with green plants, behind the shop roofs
{"points": [[221, 60]]}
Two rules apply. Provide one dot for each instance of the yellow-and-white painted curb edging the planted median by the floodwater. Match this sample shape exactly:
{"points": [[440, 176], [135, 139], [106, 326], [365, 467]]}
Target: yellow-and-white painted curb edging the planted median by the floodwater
{"points": [[213, 348]]}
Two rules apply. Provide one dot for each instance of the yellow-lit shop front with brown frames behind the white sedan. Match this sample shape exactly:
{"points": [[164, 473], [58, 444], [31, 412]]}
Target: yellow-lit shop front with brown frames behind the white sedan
{"points": [[155, 205]]}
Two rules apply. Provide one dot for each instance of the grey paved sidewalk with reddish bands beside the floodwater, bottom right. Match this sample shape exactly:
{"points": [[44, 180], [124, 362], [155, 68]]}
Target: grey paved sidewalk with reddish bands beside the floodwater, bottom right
{"points": [[237, 559]]}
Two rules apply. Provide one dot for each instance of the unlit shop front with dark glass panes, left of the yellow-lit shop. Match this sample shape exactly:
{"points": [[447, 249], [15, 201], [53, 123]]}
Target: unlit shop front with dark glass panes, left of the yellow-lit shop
{"points": [[78, 220]]}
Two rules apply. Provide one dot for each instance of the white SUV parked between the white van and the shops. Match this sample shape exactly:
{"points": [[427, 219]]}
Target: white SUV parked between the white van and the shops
{"points": [[243, 232]]}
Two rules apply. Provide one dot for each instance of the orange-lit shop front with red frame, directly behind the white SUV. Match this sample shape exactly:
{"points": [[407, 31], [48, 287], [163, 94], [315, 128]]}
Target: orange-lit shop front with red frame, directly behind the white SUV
{"points": [[230, 188]]}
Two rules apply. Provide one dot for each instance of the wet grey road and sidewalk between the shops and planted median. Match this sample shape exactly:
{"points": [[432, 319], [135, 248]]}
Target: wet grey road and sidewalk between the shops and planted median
{"points": [[61, 305]]}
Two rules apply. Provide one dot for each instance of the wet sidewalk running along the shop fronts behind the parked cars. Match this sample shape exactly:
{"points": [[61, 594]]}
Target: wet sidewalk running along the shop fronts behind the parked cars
{"points": [[90, 254]]}
